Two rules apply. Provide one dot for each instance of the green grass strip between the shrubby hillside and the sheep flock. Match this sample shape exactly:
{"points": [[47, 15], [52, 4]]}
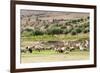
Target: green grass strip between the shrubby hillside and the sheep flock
{"points": [[55, 37]]}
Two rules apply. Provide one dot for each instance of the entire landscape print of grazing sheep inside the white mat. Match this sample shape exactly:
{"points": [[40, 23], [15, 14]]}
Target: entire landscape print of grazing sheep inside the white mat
{"points": [[49, 36]]}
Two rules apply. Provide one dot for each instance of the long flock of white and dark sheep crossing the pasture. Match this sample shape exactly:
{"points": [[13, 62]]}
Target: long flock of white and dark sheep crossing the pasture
{"points": [[65, 47]]}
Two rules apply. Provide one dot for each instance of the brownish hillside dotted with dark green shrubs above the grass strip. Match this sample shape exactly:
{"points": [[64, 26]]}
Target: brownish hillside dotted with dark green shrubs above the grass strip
{"points": [[51, 22]]}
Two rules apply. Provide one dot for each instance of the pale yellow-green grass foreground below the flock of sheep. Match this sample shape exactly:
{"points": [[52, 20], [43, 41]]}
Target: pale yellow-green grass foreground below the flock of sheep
{"points": [[52, 56]]}
